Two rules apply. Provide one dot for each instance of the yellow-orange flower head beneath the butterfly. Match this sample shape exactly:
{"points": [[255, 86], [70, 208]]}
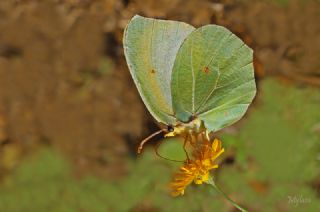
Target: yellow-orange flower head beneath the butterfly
{"points": [[197, 169]]}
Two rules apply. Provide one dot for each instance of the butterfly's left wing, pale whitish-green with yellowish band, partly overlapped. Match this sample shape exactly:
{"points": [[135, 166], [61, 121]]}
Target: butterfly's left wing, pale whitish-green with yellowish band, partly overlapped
{"points": [[150, 47]]}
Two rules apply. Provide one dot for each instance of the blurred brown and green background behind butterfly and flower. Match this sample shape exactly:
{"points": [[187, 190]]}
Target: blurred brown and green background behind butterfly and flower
{"points": [[71, 117]]}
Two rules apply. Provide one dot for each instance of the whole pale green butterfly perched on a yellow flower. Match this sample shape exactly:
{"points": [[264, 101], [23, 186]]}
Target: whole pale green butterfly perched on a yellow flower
{"points": [[191, 80]]}
